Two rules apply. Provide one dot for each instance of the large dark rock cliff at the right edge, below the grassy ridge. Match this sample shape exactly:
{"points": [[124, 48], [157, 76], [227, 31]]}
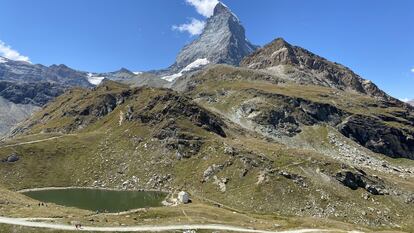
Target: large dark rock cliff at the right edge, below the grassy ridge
{"points": [[379, 137]]}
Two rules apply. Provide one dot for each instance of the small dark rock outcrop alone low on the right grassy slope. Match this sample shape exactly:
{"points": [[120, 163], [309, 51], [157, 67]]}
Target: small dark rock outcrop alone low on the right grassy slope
{"points": [[360, 179]]}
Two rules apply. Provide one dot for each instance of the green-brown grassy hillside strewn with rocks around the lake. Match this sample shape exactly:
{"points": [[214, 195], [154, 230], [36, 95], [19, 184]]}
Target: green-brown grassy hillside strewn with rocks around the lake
{"points": [[143, 138]]}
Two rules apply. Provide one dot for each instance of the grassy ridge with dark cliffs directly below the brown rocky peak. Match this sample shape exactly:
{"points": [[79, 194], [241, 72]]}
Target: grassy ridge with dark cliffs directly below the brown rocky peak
{"points": [[280, 108]]}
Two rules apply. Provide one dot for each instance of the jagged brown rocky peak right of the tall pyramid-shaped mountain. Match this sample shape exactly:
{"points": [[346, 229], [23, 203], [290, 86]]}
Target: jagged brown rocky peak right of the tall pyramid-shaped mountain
{"points": [[312, 69]]}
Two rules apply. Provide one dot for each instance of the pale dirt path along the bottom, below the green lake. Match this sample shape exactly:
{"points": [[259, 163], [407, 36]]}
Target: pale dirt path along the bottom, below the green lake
{"points": [[26, 223]]}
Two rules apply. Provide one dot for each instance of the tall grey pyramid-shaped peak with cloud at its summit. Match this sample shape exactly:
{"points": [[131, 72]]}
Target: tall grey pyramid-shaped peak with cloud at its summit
{"points": [[222, 41]]}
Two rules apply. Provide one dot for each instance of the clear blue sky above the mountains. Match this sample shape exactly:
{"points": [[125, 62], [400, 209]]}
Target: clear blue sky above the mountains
{"points": [[375, 38]]}
